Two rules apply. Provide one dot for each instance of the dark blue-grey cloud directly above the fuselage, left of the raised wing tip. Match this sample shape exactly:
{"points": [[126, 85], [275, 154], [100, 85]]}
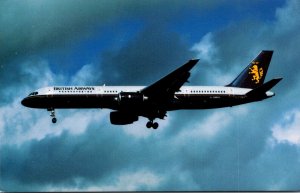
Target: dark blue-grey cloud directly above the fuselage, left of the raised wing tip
{"points": [[151, 55]]}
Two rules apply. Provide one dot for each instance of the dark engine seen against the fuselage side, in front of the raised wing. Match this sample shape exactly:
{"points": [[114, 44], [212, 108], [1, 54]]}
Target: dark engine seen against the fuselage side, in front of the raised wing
{"points": [[131, 99]]}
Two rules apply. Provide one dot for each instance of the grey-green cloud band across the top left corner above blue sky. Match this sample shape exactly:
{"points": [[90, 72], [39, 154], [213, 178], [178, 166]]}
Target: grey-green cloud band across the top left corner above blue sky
{"points": [[30, 26]]}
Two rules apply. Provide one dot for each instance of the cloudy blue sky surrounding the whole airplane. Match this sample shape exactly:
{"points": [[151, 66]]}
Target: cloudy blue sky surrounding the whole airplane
{"points": [[250, 147]]}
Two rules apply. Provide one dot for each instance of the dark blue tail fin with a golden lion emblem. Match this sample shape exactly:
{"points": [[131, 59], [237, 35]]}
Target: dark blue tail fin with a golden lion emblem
{"points": [[254, 74]]}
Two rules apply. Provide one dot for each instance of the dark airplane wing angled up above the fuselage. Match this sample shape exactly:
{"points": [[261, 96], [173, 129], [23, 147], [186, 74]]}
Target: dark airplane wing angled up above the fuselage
{"points": [[167, 86]]}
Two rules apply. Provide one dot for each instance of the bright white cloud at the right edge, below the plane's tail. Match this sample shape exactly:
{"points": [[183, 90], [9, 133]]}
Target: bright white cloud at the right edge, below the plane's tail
{"points": [[288, 129]]}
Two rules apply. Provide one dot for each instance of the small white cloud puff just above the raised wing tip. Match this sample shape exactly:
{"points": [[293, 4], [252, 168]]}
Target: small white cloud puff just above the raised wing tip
{"points": [[206, 49]]}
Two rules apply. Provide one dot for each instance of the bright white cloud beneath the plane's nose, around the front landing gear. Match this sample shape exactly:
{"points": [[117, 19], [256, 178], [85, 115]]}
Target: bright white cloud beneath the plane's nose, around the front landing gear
{"points": [[20, 124]]}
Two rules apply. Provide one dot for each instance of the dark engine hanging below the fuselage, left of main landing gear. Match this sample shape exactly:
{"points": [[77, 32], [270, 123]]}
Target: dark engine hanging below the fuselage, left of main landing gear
{"points": [[121, 118]]}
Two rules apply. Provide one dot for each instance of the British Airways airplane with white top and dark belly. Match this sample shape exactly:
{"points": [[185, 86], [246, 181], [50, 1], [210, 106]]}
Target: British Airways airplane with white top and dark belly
{"points": [[167, 94]]}
